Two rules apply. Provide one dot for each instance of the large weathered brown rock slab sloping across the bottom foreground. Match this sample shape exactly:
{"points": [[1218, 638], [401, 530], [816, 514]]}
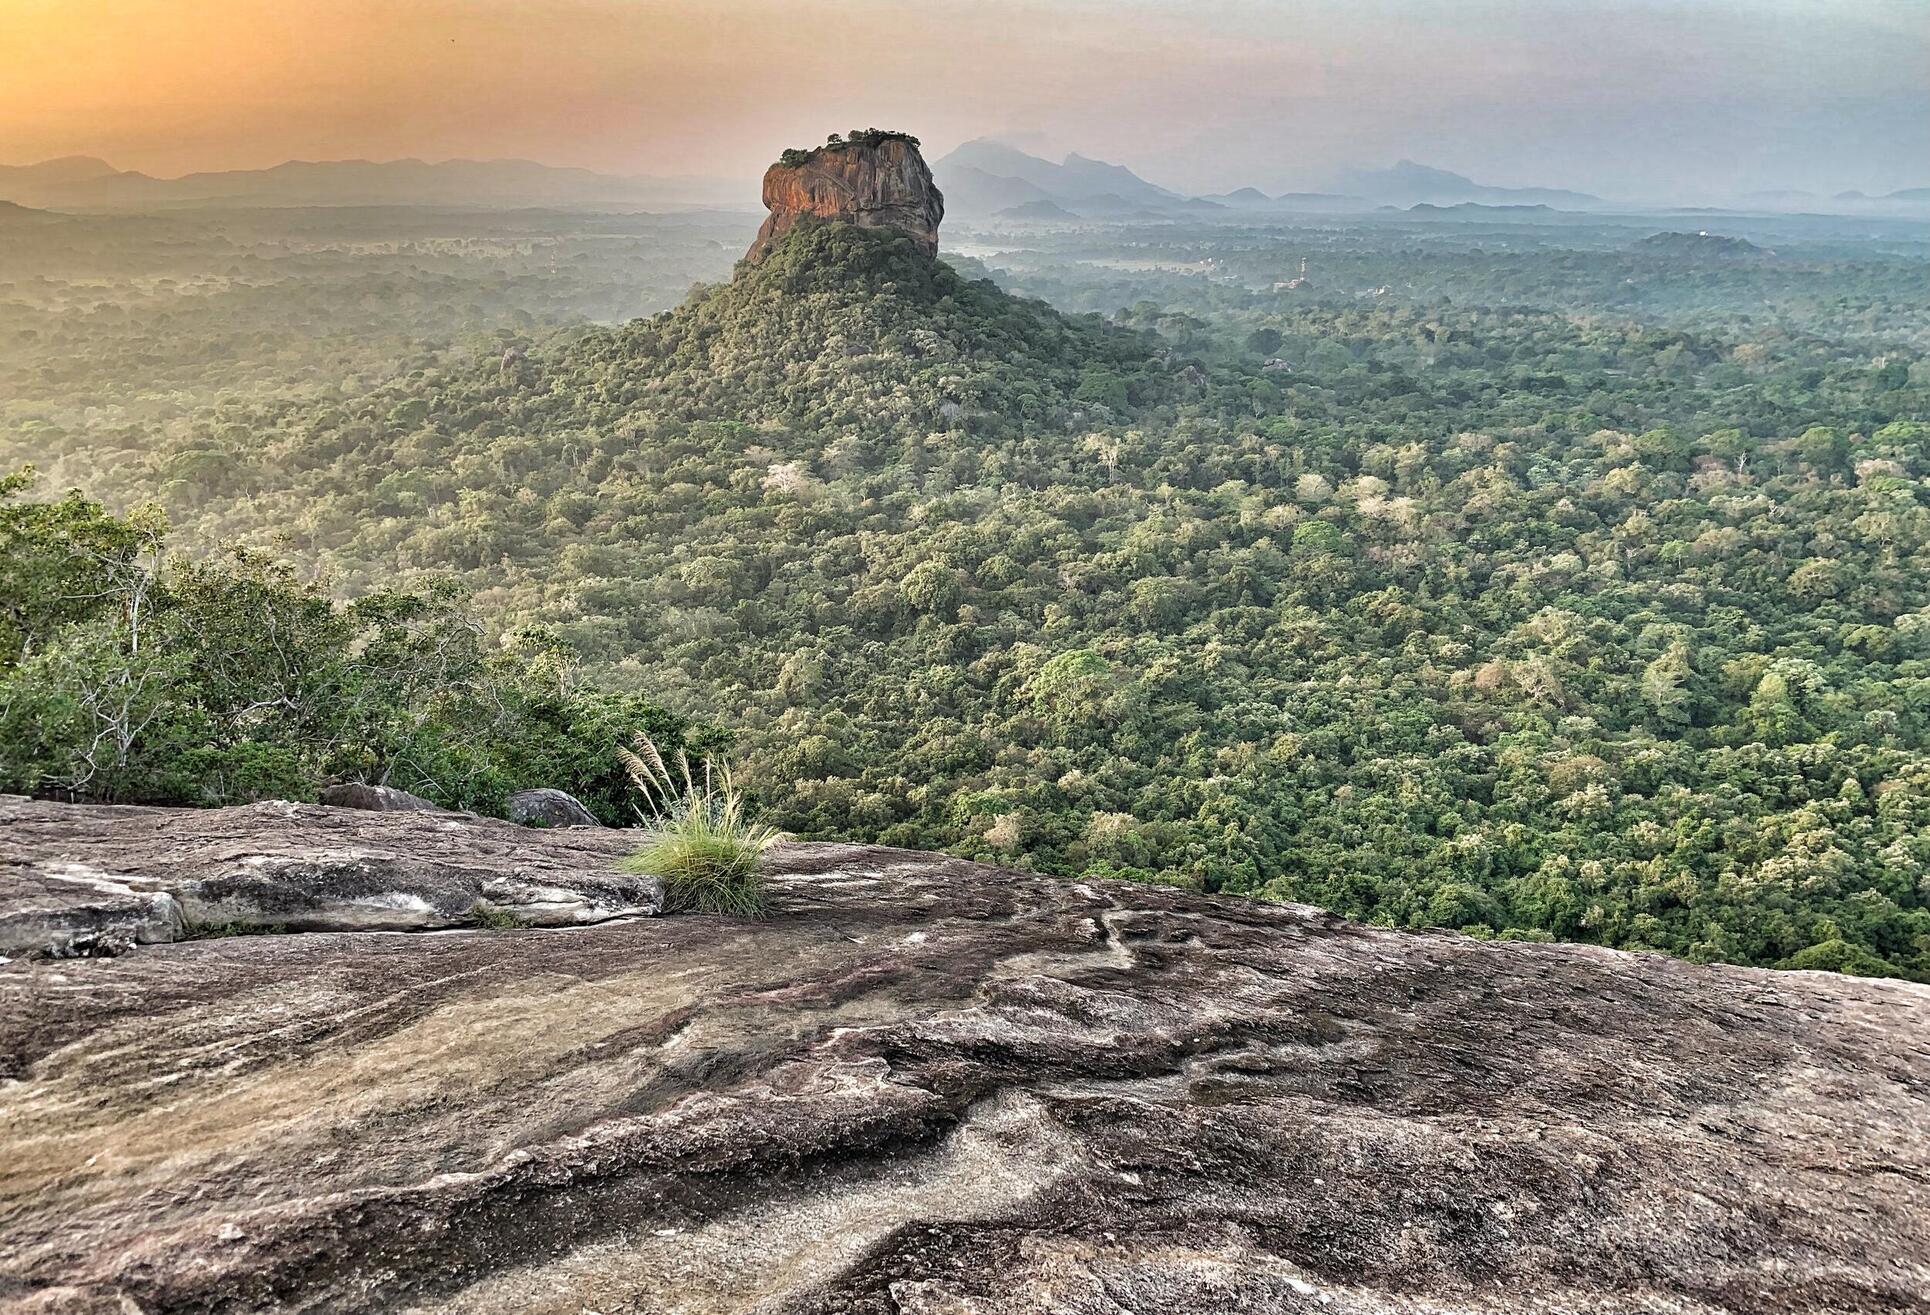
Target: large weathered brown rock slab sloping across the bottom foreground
{"points": [[929, 1088]]}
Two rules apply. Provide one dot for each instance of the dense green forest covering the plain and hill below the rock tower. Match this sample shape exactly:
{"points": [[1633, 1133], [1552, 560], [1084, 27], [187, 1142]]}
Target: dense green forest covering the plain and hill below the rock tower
{"points": [[1497, 600]]}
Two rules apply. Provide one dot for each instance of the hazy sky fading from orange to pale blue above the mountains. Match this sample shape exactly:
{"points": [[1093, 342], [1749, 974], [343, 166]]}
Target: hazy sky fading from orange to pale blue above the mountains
{"points": [[1632, 99]]}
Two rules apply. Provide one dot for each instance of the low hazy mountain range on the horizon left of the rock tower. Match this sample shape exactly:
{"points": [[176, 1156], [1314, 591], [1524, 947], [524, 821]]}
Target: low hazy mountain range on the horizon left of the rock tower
{"points": [[84, 182]]}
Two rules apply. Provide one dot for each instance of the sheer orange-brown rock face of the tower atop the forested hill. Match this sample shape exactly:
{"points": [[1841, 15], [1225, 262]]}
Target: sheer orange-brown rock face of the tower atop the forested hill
{"points": [[873, 181]]}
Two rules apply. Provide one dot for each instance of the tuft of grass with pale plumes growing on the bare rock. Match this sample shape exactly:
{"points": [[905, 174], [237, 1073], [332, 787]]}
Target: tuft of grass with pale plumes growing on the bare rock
{"points": [[703, 845]]}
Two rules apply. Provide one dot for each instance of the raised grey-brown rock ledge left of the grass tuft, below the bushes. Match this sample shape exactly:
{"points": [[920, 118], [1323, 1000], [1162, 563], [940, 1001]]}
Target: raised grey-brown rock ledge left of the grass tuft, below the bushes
{"points": [[92, 881]]}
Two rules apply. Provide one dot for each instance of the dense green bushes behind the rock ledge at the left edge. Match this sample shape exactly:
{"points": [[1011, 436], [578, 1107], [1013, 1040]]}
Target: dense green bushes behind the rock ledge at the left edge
{"points": [[128, 677]]}
